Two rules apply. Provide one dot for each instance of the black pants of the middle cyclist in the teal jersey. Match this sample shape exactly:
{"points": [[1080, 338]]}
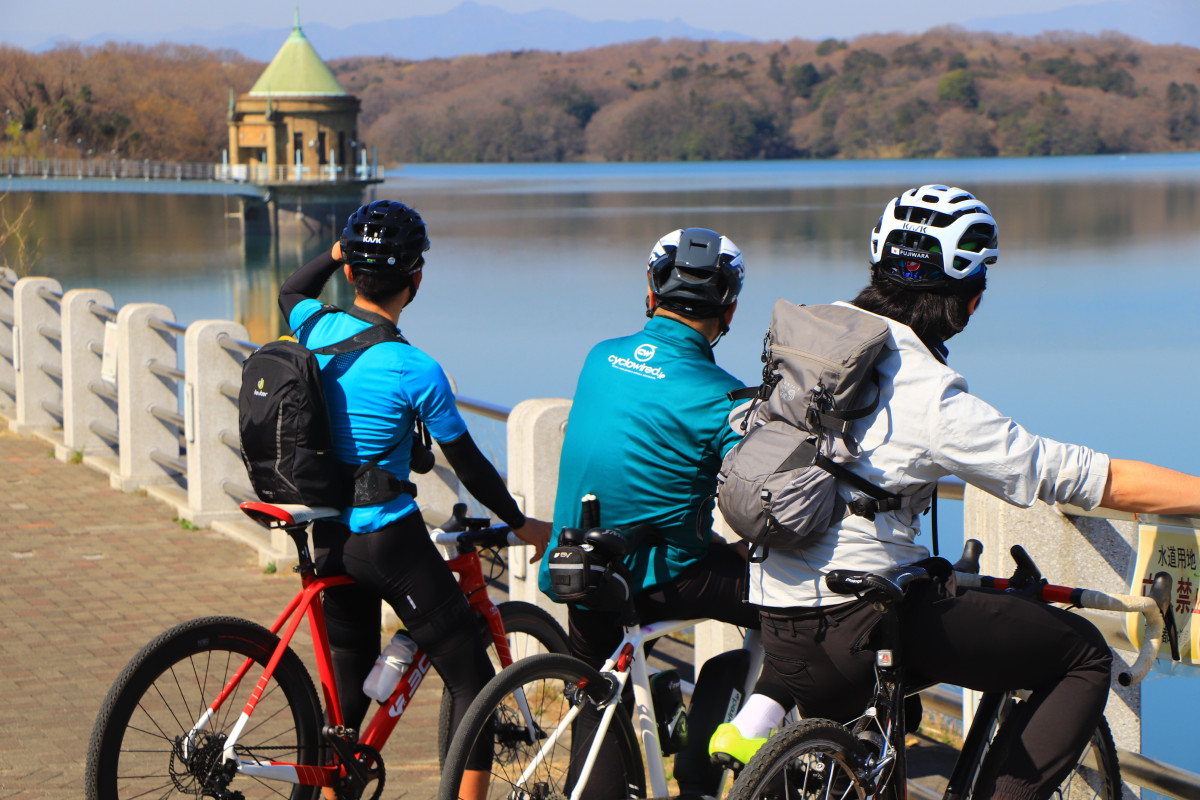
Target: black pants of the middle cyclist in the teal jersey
{"points": [[715, 588]]}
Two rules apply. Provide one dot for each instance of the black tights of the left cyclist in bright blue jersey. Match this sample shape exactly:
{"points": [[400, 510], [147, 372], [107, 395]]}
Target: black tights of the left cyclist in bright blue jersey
{"points": [[401, 566]]}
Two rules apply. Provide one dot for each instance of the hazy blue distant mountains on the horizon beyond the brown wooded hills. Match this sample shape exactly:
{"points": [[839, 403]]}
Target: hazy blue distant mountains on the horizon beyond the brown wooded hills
{"points": [[476, 28]]}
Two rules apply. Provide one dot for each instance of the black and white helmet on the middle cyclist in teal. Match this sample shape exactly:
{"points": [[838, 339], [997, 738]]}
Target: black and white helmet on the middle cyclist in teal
{"points": [[695, 273]]}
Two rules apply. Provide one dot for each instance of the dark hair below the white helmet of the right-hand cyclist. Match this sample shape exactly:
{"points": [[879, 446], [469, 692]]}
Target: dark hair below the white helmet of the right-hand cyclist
{"points": [[934, 316]]}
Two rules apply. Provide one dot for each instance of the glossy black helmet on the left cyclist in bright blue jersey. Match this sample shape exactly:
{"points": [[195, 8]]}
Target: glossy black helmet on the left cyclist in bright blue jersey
{"points": [[386, 238]]}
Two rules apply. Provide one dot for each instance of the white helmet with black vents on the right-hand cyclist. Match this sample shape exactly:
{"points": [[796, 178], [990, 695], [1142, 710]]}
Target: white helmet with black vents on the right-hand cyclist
{"points": [[934, 233]]}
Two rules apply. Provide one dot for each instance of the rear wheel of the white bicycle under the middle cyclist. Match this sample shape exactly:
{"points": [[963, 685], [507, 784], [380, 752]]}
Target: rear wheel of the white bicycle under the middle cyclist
{"points": [[553, 685]]}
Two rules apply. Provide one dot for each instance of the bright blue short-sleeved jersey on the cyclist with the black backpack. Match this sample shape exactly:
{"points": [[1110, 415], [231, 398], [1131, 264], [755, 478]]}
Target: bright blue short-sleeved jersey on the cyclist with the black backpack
{"points": [[375, 399]]}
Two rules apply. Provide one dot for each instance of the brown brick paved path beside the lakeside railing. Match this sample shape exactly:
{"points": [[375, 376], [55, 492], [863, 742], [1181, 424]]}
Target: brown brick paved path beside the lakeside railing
{"points": [[88, 575]]}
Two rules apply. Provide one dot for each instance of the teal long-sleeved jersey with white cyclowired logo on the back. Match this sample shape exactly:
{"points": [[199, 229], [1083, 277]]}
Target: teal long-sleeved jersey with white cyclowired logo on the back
{"points": [[647, 432]]}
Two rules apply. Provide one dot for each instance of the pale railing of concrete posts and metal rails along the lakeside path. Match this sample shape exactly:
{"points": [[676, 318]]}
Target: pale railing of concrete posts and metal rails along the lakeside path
{"points": [[105, 384]]}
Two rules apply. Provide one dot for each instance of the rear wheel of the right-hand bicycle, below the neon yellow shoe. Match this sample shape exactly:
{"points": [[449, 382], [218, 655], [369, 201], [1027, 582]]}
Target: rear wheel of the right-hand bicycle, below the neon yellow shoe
{"points": [[813, 759]]}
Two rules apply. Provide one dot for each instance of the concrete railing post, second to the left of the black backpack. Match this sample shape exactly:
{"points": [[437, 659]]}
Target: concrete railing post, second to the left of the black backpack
{"points": [[142, 393]]}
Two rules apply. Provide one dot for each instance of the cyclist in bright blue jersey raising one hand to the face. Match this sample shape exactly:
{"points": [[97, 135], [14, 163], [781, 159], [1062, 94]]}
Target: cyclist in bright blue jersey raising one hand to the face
{"points": [[375, 398]]}
